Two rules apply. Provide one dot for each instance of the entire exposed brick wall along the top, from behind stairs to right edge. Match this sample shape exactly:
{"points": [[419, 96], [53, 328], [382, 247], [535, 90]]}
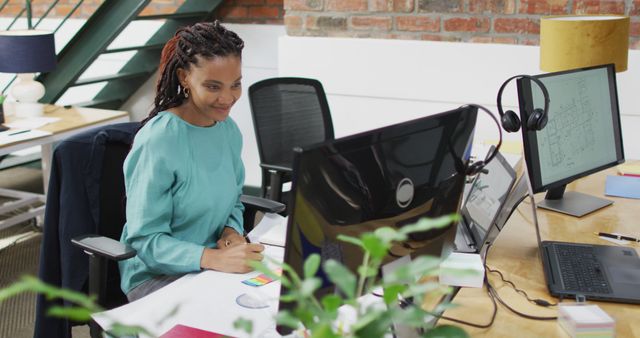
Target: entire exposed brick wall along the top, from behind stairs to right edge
{"points": [[482, 21]]}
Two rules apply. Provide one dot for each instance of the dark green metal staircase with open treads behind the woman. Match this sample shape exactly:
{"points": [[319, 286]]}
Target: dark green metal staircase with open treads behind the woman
{"points": [[94, 39]]}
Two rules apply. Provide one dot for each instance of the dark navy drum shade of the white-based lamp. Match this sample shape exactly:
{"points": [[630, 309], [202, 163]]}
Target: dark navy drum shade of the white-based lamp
{"points": [[27, 51]]}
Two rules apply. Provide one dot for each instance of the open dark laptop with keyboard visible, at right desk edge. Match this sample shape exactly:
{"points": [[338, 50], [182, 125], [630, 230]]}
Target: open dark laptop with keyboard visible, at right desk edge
{"points": [[597, 272]]}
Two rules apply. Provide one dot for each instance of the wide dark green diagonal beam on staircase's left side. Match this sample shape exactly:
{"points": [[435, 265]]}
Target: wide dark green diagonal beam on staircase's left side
{"points": [[93, 38]]}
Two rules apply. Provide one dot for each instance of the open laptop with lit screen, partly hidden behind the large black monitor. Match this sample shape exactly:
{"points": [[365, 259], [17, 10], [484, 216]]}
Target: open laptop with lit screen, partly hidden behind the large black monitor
{"points": [[485, 200]]}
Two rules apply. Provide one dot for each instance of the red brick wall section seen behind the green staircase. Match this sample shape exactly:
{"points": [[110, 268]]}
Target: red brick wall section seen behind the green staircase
{"points": [[232, 11]]}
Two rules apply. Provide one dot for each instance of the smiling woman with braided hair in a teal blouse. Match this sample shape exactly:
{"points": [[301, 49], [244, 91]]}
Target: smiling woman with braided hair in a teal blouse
{"points": [[184, 174]]}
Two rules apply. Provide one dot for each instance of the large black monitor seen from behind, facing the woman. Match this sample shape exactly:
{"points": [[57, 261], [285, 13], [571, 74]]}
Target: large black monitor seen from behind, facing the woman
{"points": [[390, 176]]}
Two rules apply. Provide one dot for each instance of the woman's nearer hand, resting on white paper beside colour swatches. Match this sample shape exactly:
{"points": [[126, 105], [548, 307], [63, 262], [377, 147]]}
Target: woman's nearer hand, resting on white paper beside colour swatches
{"points": [[233, 258]]}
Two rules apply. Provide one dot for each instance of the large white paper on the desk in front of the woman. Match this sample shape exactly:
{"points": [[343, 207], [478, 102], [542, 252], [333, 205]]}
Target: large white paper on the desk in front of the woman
{"points": [[205, 300]]}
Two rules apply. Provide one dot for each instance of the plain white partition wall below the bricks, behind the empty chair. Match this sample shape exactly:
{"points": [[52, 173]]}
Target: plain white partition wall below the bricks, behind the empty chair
{"points": [[372, 83]]}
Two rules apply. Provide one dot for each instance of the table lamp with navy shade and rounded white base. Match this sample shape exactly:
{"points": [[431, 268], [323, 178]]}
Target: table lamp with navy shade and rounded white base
{"points": [[26, 52]]}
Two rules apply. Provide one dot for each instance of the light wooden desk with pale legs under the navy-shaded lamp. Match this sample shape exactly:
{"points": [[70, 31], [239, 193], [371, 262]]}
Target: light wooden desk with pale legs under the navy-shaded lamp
{"points": [[72, 121]]}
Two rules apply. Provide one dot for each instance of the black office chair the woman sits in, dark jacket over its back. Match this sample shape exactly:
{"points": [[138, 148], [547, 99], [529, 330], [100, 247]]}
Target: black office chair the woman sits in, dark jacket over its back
{"points": [[100, 201]]}
